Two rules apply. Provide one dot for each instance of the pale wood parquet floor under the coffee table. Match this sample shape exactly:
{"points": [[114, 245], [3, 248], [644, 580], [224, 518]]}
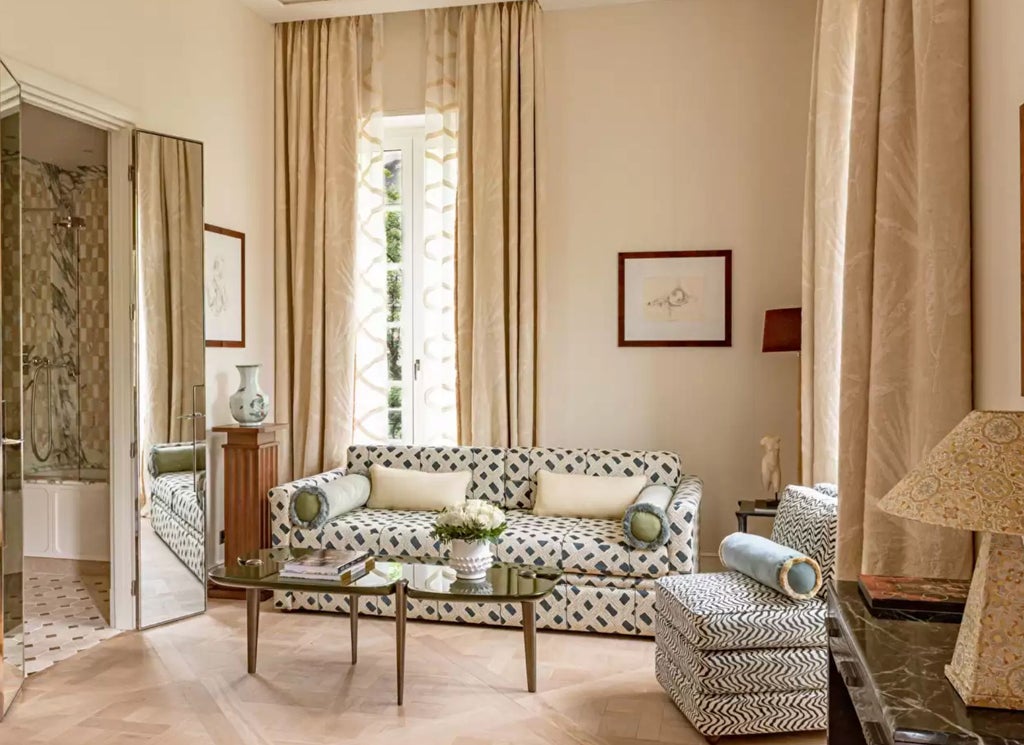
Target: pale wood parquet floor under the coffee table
{"points": [[465, 686]]}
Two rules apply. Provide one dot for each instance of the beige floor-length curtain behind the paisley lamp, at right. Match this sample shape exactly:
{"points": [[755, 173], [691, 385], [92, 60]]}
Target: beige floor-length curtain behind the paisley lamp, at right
{"points": [[887, 268]]}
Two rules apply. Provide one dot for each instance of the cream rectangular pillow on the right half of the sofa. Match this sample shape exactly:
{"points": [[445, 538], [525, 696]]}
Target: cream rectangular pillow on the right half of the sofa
{"points": [[573, 496]]}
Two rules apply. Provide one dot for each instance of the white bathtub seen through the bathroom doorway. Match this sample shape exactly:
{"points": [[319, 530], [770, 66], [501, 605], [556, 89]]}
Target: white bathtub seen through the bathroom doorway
{"points": [[67, 519]]}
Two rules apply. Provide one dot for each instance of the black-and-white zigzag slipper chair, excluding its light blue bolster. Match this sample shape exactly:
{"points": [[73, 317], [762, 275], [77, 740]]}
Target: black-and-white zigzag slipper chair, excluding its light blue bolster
{"points": [[740, 659]]}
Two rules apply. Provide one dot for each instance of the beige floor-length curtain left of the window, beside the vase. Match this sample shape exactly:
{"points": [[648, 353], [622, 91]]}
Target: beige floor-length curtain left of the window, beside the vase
{"points": [[328, 102]]}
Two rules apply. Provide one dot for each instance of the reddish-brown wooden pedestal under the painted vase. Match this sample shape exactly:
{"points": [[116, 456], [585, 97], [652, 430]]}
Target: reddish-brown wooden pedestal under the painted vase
{"points": [[250, 472]]}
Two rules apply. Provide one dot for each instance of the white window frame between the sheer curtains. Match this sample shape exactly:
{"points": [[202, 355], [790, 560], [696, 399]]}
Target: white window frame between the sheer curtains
{"points": [[407, 135]]}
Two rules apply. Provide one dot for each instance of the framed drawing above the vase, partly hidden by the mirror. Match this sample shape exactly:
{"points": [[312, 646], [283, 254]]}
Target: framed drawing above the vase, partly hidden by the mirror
{"points": [[225, 273]]}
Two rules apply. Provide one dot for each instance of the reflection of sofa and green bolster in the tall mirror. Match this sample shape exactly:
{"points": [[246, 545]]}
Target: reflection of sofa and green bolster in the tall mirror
{"points": [[178, 501]]}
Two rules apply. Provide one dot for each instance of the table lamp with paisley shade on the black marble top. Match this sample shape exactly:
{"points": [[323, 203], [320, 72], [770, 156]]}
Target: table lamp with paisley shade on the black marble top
{"points": [[974, 480]]}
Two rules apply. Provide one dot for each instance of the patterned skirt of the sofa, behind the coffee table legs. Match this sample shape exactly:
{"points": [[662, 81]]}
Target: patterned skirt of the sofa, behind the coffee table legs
{"points": [[580, 603]]}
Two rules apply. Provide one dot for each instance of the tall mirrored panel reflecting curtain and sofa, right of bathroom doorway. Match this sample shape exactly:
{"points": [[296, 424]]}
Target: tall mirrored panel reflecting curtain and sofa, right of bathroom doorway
{"points": [[170, 373]]}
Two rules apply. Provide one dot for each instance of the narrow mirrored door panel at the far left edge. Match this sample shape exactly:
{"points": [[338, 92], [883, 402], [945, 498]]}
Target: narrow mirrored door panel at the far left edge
{"points": [[12, 602]]}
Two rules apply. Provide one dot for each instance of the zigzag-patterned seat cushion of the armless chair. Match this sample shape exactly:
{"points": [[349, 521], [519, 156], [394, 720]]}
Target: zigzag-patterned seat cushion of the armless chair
{"points": [[730, 610]]}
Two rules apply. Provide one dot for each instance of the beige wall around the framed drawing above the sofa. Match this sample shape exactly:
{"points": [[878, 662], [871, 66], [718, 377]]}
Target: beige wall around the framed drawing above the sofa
{"points": [[675, 126]]}
